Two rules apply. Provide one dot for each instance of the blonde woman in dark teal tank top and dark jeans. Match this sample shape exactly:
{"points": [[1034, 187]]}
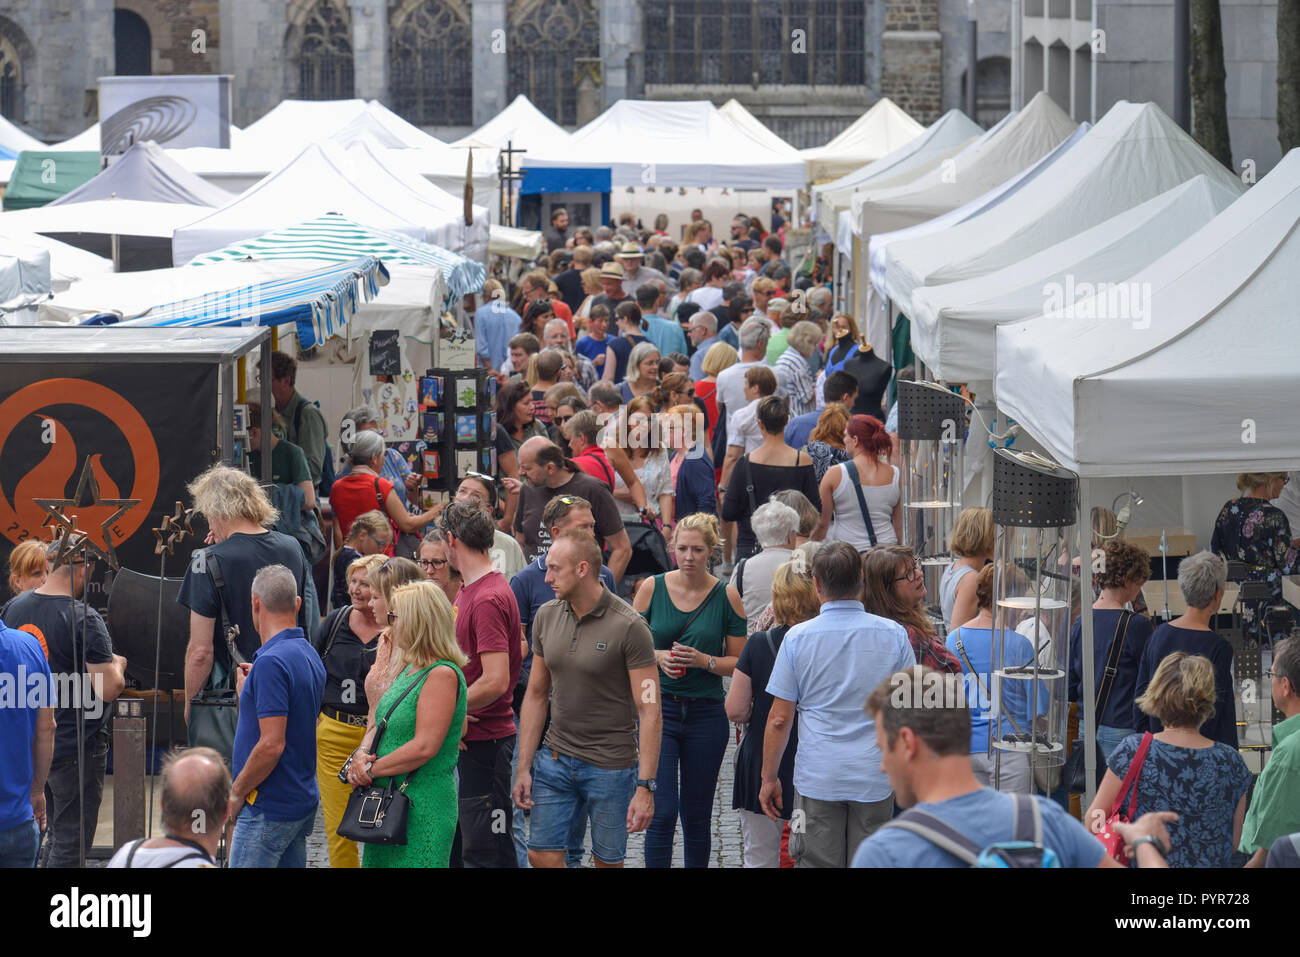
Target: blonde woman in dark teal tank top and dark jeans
{"points": [[699, 627]]}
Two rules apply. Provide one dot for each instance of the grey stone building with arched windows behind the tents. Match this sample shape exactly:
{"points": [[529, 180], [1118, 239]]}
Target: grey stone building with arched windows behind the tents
{"points": [[808, 68]]}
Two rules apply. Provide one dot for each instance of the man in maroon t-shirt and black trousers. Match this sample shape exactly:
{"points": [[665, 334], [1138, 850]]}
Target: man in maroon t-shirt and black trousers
{"points": [[489, 633]]}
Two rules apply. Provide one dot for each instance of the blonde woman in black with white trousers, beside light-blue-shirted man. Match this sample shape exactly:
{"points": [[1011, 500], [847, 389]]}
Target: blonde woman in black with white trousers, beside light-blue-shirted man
{"points": [[748, 703]]}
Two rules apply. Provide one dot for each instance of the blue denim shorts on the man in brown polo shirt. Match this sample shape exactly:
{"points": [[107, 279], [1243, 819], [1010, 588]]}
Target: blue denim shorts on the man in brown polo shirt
{"points": [[561, 785]]}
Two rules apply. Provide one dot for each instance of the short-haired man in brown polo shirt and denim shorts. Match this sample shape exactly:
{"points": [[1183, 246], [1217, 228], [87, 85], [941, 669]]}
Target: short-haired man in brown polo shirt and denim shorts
{"points": [[593, 657]]}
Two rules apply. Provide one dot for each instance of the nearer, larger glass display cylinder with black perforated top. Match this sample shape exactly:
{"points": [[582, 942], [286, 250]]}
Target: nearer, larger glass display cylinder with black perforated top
{"points": [[1035, 513]]}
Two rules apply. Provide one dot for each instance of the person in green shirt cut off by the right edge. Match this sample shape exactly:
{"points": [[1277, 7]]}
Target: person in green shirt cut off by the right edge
{"points": [[1276, 804]]}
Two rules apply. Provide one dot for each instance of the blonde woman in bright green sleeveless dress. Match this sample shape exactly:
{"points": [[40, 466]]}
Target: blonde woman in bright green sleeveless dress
{"points": [[422, 741]]}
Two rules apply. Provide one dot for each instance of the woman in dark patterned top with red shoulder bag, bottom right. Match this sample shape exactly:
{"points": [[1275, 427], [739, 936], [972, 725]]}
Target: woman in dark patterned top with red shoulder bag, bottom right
{"points": [[1206, 782]]}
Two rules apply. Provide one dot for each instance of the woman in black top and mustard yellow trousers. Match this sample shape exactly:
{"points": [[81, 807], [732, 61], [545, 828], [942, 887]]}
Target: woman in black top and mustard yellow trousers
{"points": [[348, 642]]}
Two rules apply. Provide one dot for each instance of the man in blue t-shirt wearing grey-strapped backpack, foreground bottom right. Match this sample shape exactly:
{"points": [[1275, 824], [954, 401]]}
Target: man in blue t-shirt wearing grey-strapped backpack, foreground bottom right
{"points": [[922, 729]]}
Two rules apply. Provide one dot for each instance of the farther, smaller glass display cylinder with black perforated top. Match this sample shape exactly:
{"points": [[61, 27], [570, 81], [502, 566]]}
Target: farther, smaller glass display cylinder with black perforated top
{"points": [[931, 435]]}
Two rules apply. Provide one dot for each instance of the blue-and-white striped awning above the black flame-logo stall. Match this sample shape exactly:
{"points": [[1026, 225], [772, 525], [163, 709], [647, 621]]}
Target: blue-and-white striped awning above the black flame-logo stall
{"points": [[319, 302]]}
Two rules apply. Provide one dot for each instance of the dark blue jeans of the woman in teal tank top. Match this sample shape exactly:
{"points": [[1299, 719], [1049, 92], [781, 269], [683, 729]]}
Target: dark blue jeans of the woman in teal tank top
{"points": [[695, 738]]}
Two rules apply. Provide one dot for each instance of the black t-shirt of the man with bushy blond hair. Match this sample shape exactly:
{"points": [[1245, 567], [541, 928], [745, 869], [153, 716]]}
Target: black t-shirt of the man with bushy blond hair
{"points": [[241, 557]]}
